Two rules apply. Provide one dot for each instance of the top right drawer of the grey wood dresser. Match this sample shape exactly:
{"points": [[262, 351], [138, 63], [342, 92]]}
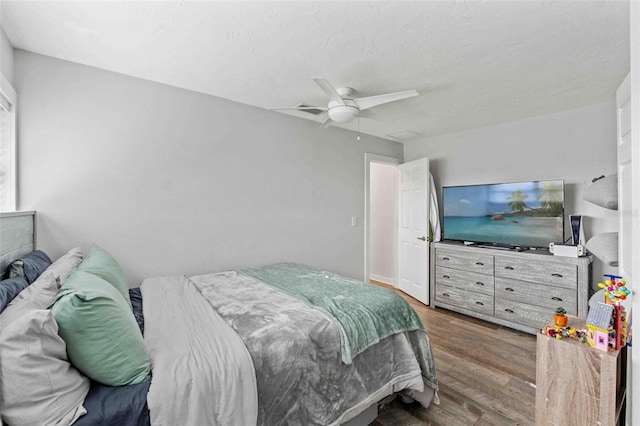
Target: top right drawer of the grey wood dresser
{"points": [[546, 272]]}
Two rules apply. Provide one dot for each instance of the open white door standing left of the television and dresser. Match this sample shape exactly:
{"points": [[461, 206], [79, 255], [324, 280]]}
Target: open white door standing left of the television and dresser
{"points": [[413, 229]]}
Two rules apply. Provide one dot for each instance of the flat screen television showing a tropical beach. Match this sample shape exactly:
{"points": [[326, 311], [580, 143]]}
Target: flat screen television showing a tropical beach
{"points": [[521, 214]]}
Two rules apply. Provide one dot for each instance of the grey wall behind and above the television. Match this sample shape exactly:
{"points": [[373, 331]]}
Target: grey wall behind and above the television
{"points": [[575, 145]]}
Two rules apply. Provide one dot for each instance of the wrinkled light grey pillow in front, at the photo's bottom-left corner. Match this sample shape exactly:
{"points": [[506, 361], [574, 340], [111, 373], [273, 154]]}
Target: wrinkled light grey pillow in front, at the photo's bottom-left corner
{"points": [[38, 385]]}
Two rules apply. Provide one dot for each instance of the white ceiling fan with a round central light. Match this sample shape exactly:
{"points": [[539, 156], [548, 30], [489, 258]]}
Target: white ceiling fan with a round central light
{"points": [[342, 107]]}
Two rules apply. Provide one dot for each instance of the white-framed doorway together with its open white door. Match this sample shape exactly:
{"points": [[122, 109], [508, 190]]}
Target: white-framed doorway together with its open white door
{"points": [[397, 198]]}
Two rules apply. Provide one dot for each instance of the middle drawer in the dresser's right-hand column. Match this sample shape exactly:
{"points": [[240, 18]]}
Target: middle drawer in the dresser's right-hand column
{"points": [[541, 295]]}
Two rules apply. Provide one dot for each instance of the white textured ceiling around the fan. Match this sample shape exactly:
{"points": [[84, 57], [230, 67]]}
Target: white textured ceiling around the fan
{"points": [[474, 63]]}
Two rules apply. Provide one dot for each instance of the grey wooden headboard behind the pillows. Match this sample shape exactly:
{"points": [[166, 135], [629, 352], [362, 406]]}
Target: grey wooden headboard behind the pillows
{"points": [[17, 236]]}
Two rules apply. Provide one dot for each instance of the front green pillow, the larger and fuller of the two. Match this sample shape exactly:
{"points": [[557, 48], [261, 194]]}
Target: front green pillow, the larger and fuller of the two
{"points": [[102, 337]]}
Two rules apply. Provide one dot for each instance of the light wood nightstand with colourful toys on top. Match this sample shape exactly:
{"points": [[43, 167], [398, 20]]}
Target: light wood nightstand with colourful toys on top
{"points": [[577, 384]]}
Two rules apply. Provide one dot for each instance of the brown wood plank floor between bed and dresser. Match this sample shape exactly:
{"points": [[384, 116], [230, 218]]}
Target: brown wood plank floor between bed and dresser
{"points": [[486, 374]]}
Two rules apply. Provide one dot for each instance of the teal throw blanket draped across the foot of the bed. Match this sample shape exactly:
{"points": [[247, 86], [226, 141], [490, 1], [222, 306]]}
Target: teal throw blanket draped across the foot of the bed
{"points": [[364, 313]]}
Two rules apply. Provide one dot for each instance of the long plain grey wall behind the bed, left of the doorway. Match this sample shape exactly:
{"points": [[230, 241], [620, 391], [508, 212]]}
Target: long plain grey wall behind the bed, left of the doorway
{"points": [[175, 182]]}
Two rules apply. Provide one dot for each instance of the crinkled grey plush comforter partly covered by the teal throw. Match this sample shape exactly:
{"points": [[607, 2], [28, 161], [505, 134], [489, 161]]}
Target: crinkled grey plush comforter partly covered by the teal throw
{"points": [[296, 354]]}
